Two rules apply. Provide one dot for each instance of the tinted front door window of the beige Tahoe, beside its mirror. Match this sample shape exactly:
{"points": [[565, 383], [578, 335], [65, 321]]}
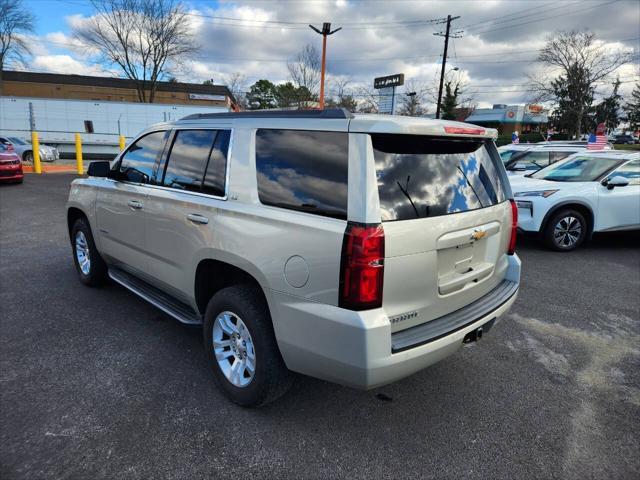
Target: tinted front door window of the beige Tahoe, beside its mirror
{"points": [[138, 161]]}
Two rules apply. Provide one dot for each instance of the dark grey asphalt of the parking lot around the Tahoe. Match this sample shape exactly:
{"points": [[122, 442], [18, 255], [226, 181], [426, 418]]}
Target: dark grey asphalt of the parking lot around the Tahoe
{"points": [[96, 383]]}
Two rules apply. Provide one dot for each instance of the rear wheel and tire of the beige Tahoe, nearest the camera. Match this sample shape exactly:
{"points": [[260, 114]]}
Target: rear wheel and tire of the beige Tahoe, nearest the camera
{"points": [[238, 323]]}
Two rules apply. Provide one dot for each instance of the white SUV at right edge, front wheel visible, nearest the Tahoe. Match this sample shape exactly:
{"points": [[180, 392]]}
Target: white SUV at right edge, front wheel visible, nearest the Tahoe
{"points": [[588, 192]]}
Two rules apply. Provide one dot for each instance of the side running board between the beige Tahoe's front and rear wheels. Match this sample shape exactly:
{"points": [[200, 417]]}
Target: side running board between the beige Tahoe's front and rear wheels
{"points": [[169, 305]]}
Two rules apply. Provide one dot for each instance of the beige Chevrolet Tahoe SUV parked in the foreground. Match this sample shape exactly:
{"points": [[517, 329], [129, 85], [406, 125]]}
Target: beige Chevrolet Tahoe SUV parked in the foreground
{"points": [[354, 248]]}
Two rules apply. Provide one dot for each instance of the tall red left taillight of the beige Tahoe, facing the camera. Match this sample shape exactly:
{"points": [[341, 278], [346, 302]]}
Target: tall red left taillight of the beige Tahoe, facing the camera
{"points": [[362, 267]]}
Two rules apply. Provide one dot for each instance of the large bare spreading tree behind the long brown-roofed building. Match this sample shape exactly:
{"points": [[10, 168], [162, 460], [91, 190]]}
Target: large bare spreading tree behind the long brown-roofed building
{"points": [[144, 38]]}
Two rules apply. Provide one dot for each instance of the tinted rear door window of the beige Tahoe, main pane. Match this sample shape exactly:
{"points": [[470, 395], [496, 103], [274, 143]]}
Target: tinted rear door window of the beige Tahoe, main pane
{"points": [[188, 159]]}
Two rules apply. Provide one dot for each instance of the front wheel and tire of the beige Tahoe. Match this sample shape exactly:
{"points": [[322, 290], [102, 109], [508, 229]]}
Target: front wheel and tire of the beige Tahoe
{"points": [[91, 268]]}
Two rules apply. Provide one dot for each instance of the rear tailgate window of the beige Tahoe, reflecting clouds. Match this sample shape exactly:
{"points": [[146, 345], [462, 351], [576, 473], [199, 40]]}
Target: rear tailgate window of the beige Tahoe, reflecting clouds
{"points": [[420, 176]]}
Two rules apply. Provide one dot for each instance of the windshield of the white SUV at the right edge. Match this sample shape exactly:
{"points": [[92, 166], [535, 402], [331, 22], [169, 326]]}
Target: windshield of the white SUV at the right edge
{"points": [[577, 169]]}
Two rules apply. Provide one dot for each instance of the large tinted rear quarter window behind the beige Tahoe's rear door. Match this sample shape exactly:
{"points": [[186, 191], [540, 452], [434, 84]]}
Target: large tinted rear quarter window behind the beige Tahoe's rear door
{"points": [[303, 170]]}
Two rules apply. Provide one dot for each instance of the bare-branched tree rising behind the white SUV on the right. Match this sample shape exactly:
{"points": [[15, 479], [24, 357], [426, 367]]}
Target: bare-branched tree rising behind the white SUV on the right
{"points": [[575, 62]]}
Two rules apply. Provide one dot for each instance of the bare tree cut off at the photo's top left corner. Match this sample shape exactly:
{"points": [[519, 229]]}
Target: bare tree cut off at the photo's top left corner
{"points": [[15, 22]]}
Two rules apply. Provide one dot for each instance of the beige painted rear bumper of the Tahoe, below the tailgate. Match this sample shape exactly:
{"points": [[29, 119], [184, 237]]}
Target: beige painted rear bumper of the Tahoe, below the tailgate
{"points": [[356, 348]]}
